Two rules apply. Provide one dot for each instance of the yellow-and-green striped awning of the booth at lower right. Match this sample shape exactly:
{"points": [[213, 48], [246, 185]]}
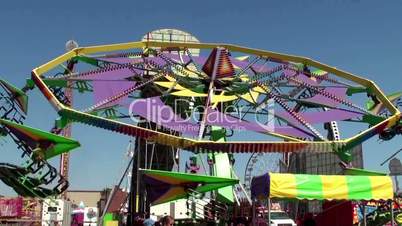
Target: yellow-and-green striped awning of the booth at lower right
{"points": [[320, 187]]}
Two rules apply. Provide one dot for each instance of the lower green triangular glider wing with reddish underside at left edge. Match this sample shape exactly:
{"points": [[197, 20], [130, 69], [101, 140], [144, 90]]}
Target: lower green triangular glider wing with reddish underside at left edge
{"points": [[50, 144]]}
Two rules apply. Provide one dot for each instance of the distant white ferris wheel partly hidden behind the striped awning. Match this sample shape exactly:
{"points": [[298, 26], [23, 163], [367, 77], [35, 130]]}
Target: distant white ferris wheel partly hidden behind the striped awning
{"points": [[260, 163]]}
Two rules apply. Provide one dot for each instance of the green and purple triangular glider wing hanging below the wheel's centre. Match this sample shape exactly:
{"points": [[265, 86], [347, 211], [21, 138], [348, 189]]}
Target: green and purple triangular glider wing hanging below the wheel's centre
{"points": [[165, 186]]}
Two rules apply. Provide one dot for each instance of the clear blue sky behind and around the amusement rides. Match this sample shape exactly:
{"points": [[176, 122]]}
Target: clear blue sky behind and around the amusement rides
{"points": [[362, 37]]}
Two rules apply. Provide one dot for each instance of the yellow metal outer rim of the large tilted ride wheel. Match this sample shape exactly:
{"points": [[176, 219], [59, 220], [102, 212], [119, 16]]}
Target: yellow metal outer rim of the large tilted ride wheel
{"points": [[361, 137]]}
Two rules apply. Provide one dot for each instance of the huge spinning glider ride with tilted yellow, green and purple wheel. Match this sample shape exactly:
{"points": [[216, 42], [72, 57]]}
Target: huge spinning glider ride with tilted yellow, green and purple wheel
{"points": [[211, 99]]}
